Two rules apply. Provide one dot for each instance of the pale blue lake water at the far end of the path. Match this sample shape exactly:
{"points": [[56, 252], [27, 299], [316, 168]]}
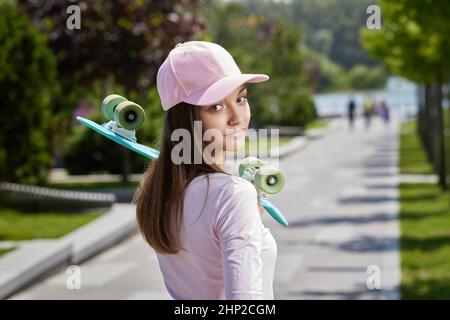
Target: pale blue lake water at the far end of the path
{"points": [[399, 94]]}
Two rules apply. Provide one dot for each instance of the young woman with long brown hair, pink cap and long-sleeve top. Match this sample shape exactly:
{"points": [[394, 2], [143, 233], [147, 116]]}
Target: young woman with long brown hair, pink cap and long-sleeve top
{"points": [[203, 223]]}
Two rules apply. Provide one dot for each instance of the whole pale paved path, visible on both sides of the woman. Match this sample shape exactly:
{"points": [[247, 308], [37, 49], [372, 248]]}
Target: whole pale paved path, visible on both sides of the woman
{"points": [[341, 202]]}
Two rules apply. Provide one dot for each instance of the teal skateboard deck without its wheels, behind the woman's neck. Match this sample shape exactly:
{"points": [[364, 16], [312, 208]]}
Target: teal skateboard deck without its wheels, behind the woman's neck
{"points": [[129, 142]]}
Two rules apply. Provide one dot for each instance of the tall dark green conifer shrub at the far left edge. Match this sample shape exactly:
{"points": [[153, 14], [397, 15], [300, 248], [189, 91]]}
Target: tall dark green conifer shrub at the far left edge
{"points": [[27, 85]]}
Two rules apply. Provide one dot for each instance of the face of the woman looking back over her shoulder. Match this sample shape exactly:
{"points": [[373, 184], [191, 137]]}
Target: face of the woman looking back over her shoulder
{"points": [[230, 117]]}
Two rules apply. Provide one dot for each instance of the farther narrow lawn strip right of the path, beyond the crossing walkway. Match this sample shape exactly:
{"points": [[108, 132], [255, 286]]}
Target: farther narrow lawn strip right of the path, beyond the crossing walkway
{"points": [[413, 159]]}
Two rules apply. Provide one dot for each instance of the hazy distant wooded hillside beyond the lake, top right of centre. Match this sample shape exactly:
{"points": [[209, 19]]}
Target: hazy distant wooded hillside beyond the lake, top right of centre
{"points": [[329, 39]]}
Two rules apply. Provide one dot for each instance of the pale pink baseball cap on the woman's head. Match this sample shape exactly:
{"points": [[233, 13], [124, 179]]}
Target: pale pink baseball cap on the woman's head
{"points": [[200, 73]]}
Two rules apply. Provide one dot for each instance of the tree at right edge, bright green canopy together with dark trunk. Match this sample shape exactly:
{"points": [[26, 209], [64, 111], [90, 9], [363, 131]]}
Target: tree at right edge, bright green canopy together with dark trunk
{"points": [[414, 43]]}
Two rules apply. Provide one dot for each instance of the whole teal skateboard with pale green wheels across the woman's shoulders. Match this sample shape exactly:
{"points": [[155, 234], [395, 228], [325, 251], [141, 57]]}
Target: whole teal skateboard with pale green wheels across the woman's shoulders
{"points": [[126, 116]]}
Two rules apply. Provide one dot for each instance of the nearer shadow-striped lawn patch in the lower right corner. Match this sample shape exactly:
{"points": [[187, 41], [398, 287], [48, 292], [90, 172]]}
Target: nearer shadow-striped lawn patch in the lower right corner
{"points": [[425, 242]]}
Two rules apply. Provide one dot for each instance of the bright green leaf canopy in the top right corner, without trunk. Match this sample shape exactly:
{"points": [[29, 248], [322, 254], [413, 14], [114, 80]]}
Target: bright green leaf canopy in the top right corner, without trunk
{"points": [[414, 40]]}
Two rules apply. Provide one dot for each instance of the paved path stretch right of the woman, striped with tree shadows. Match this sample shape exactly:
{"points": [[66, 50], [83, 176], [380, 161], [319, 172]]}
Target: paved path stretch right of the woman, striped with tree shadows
{"points": [[341, 201]]}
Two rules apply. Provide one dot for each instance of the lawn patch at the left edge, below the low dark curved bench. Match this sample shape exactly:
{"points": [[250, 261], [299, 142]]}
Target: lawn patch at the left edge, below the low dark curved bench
{"points": [[17, 225]]}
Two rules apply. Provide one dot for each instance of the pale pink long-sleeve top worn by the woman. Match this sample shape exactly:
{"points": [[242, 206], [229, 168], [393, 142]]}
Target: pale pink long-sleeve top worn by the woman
{"points": [[230, 254]]}
